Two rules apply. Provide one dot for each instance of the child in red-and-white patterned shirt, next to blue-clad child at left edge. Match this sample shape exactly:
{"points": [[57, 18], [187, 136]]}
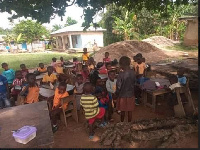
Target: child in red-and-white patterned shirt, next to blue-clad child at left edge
{"points": [[17, 85]]}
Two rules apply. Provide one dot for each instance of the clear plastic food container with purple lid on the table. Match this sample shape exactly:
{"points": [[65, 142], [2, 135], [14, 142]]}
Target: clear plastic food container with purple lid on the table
{"points": [[25, 134]]}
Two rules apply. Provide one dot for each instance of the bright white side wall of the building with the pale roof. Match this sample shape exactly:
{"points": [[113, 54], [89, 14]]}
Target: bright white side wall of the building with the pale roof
{"points": [[88, 39]]}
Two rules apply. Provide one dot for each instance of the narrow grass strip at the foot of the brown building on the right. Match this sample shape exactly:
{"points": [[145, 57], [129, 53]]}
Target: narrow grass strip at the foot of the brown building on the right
{"points": [[181, 47]]}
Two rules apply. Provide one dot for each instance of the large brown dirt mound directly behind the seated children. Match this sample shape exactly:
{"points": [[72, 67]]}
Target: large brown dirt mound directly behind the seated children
{"points": [[130, 49]]}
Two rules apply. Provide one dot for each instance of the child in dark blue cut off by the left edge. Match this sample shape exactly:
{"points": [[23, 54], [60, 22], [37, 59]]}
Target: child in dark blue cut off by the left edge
{"points": [[4, 92]]}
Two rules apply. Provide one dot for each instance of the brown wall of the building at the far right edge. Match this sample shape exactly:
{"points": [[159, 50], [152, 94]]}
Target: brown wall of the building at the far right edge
{"points": [[191, 33]]}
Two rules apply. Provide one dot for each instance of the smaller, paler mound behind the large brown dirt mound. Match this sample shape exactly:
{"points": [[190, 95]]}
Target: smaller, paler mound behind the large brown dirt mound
{"points": [[160, 41]]}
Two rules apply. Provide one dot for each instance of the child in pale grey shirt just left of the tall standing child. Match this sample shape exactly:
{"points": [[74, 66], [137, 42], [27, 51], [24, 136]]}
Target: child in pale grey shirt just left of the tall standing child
{"points": [[111, 88]]}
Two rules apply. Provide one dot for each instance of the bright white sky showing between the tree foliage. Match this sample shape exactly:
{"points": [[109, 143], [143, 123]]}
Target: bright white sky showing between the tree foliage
{"points": [[73, 11]]}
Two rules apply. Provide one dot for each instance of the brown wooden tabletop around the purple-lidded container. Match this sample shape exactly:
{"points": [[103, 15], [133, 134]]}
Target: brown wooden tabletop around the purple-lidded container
{"points": [[35, 114]]}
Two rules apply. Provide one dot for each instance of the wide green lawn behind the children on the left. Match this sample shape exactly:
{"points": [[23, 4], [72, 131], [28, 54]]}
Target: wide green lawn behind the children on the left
{"points": [[32, 59]]}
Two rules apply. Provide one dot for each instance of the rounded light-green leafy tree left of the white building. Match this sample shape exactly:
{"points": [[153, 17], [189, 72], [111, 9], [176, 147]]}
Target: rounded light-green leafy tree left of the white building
{"points": [[30, 31]]}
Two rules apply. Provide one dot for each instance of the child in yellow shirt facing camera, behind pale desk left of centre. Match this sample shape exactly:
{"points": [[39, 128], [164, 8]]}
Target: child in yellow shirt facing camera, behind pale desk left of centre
{"points": [[49, 77]]}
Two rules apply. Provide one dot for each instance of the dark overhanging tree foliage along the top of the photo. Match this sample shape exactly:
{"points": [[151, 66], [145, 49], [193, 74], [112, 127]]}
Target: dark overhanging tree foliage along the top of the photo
{"points": [[44, 10]]}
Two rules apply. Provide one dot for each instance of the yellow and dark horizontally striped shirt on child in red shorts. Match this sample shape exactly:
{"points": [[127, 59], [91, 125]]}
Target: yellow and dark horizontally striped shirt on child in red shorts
{"points": [[90, 105]]}
